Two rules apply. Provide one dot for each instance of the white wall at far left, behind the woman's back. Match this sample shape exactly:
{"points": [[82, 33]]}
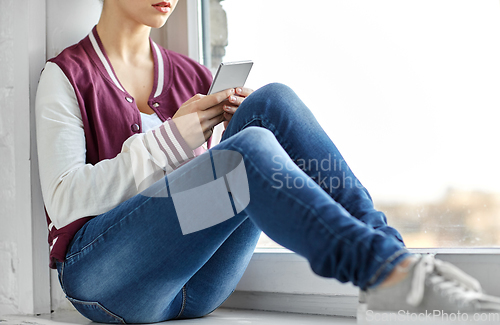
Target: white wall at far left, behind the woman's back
{"points": [[22, 45]]}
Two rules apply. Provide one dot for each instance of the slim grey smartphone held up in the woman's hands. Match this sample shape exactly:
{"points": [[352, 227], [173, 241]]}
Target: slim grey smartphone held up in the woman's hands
{"points": [[230, 75]]}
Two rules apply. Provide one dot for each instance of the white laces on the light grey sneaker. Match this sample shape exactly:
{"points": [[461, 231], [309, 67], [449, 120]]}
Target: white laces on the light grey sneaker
{"points": [[446, 278]]}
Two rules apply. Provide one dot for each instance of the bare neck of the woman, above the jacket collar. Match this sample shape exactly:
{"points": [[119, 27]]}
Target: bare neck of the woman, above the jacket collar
{"points": [[123, 39]]}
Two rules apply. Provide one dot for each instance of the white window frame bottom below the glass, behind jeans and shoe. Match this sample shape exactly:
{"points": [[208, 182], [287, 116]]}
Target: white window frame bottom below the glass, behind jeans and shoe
{"points": [[280, 280]]}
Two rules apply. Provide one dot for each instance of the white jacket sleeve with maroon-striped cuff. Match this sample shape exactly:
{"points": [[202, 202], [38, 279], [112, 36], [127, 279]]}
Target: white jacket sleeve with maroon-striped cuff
{"points": [[73, 189]]}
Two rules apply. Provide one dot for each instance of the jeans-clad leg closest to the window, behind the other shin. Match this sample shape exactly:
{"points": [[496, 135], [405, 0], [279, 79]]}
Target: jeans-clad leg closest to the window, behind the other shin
{"points": [[277, 108]]}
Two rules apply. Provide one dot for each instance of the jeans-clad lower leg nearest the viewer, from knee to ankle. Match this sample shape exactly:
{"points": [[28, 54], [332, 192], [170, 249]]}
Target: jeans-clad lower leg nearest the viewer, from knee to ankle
{"points": [[298, 214]]}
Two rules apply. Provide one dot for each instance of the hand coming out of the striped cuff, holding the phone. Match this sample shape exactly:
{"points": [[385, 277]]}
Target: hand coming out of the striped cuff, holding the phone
{"points": [[197, 117]]}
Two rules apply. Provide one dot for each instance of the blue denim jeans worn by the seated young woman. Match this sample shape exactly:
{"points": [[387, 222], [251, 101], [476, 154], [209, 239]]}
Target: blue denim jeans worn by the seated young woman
{"points": [[133, 264]]}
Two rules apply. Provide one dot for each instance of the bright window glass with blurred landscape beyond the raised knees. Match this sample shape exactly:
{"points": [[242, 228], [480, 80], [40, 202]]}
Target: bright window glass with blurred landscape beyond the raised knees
{"points": [[408, 90]]}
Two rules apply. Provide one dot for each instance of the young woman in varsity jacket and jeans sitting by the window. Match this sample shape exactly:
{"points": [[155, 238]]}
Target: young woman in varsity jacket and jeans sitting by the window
{"points": [[120, 128]]}
